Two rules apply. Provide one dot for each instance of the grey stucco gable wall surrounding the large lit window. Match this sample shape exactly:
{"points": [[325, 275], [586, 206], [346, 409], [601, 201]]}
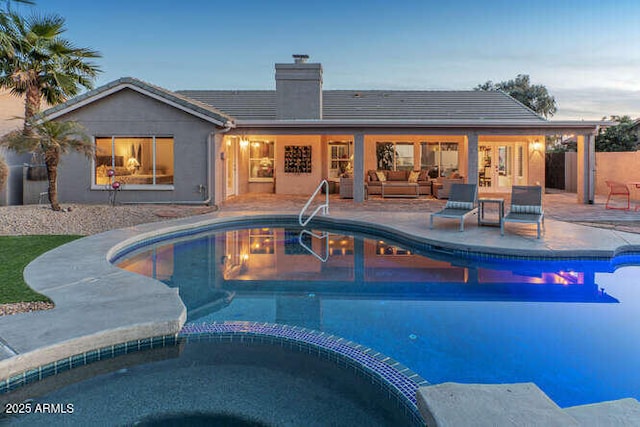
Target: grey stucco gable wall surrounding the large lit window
{"points": [[129, 113]]}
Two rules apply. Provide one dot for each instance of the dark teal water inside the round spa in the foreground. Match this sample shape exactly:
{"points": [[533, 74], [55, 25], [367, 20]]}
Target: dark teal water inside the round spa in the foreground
{"points": [[205, 383]]}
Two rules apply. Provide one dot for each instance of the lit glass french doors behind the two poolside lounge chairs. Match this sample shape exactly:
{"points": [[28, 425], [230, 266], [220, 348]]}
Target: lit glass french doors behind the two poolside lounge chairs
{"points": [[500, 166]]}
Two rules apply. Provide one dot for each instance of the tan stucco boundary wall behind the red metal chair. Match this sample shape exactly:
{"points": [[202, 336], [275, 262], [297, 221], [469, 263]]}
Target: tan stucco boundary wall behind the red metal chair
{"points": [[623, 167]]}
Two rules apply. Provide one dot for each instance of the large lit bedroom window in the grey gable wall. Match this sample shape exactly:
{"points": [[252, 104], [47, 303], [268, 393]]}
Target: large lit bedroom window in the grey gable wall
{"points": [[134, 161]]}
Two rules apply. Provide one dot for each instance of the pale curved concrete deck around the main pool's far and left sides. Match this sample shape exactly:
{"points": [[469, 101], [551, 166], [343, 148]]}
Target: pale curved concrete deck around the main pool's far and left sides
{"points": [[99, 305]]}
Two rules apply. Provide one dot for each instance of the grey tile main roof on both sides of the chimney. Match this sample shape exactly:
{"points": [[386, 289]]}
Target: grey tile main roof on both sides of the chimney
{"points": [[376, 104]]}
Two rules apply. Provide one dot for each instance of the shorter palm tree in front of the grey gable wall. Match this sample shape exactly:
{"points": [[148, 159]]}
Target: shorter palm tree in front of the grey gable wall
{"points": [[51, 139]]}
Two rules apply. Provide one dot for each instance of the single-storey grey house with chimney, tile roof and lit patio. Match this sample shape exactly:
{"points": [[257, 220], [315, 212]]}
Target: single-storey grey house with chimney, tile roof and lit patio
{"points": [[207, 146]]}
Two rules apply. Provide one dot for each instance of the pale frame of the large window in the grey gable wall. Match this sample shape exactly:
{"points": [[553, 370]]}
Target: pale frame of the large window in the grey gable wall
{"points": [[132, 187]]}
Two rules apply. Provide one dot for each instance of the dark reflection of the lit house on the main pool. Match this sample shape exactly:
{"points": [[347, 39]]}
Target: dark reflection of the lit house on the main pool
{"points": [[259, 262]]}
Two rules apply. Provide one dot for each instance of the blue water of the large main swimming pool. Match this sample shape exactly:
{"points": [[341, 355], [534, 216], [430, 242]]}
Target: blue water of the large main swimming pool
{"points": [[569, 326]]}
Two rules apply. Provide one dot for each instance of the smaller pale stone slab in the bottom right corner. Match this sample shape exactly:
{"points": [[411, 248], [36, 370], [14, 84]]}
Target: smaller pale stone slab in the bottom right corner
{"points": [[623, 412]]}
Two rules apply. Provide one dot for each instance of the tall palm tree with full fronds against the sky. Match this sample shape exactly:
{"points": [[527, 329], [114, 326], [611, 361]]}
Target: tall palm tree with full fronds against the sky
{"points": [[37, 62]]}
